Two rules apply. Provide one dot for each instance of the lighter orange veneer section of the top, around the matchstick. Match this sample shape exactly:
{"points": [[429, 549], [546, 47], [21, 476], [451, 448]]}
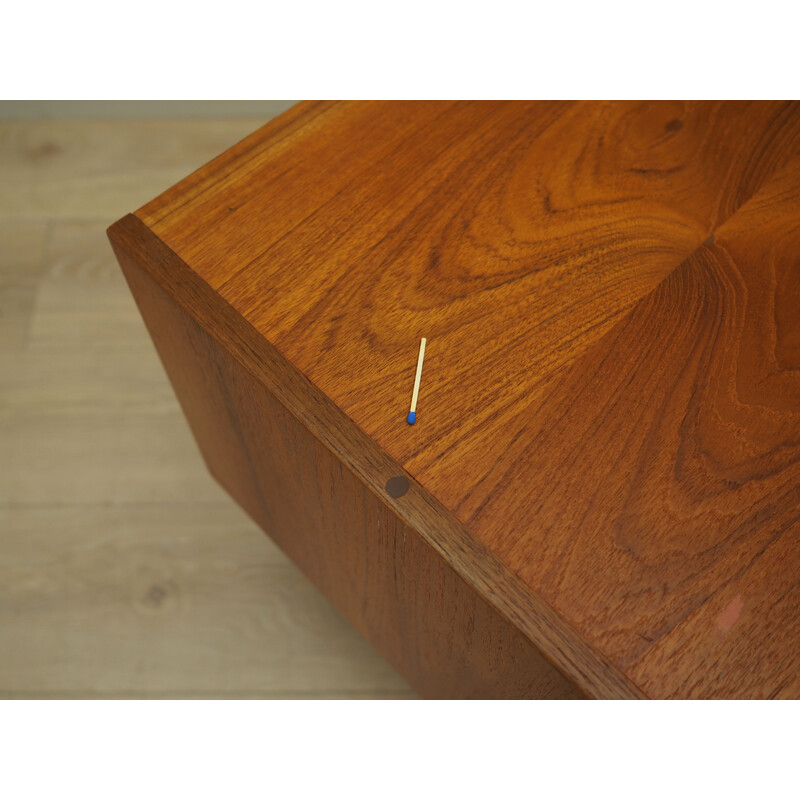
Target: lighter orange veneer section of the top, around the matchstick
{"points": [[511, 242]]}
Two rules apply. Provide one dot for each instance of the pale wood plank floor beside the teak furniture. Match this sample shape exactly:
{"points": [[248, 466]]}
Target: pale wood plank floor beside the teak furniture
{"points": [[125, 571]]}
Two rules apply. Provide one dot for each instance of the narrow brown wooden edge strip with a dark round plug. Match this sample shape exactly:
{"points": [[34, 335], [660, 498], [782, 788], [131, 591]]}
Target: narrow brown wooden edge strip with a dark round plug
{"points": [[561, 644]]}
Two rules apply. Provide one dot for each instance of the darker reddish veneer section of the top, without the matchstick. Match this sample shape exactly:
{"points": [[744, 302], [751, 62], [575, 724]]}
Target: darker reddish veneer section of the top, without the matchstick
{"points": [[689, 409]]}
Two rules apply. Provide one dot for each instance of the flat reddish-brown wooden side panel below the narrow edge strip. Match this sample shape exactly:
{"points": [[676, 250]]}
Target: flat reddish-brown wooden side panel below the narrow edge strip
{"points": [[419, 614]]}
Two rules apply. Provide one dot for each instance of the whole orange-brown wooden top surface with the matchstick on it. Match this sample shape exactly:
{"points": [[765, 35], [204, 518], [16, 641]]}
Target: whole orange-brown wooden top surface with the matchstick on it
{"points": [[610, 401]]}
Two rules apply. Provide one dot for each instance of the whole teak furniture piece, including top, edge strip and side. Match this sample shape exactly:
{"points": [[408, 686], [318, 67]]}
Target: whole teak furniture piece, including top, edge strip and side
{"points": [[601, 493]]}
